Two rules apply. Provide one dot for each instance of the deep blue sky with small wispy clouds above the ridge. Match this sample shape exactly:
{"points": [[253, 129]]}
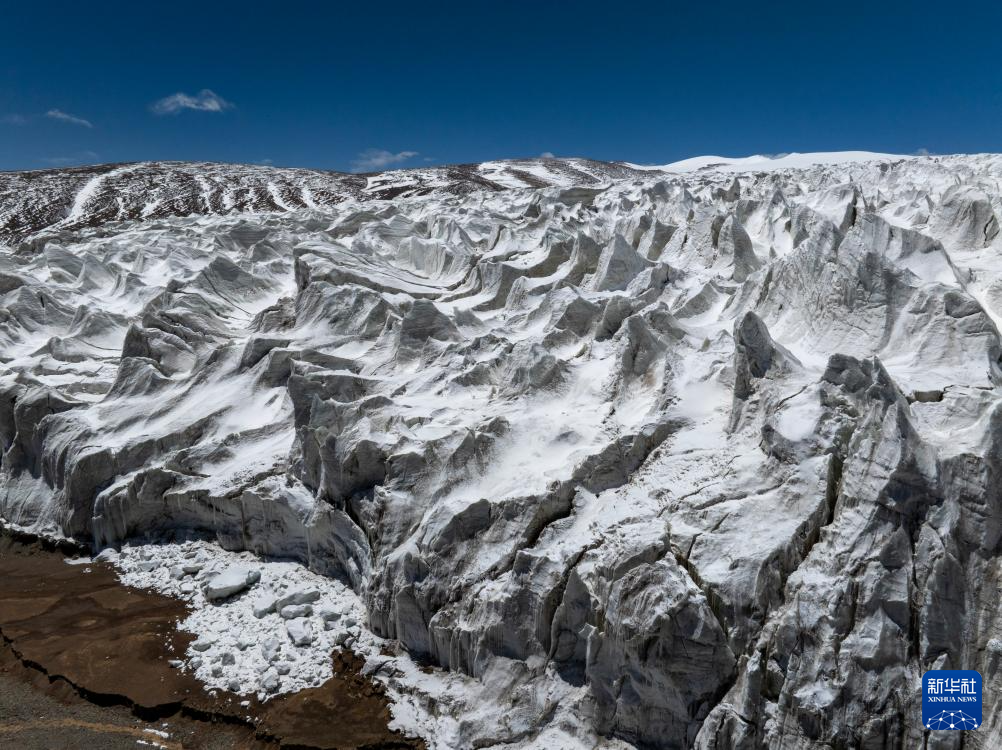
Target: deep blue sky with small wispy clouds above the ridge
{"points": [[356, 86]]}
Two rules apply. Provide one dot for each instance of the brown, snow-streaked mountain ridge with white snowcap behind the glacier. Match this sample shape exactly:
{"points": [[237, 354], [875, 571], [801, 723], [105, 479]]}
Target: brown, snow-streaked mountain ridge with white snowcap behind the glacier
{"points": [[37, 202]]}
